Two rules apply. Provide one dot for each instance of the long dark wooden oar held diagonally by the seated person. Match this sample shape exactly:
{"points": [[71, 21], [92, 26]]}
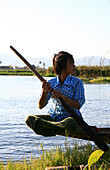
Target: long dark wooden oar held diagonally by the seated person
{"points": [[91, 133]]}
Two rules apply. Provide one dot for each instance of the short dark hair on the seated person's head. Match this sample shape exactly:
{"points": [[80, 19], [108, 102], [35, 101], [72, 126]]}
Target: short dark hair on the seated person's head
{"points": [[60, 61]]}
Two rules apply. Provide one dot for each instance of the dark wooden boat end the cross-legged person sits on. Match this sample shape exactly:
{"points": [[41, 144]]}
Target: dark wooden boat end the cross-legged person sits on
{"points": [[102, 132]]}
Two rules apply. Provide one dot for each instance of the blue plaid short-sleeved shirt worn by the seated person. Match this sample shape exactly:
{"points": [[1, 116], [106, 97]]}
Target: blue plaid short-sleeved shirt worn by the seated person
{"points": [[71, 88]]}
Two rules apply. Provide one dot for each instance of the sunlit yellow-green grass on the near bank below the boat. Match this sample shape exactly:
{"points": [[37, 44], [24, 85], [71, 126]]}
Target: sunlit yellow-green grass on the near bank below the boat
{"points": [[69, 155]]}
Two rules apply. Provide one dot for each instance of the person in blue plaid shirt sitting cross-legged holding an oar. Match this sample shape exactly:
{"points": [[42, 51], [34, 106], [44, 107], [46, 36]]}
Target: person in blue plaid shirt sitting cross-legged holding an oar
{"points": [[69, 88]]}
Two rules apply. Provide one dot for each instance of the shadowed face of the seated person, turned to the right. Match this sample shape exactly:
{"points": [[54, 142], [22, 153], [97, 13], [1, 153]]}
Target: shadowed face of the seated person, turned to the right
{"points": [[70, 67]]}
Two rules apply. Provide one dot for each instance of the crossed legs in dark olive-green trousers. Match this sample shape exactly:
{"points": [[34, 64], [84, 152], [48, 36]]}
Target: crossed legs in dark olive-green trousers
{"points": [[43, 125]]}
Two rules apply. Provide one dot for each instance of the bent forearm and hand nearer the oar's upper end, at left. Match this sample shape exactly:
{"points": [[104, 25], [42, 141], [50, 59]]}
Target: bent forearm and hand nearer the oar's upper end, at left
{"points": [[46, 88]]}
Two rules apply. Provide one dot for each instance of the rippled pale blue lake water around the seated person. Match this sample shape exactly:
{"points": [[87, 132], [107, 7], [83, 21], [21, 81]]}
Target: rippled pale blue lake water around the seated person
{"points": [[19, 96]]}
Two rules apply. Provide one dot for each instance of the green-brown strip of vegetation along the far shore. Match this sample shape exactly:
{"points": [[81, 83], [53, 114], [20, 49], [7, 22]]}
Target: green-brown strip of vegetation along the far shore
{"points": [[81, 71]]}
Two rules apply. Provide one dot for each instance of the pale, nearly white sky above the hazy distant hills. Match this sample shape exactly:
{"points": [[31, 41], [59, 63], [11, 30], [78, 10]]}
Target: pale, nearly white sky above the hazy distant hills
{"points": [[40, 28]]}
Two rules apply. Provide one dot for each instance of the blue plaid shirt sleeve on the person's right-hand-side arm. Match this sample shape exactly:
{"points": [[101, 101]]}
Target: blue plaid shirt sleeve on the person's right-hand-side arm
{"points": [[79, 92]]}
